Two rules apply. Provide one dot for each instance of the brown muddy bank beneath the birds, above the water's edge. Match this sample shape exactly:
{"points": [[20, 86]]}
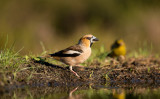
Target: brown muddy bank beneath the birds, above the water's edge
{"points": [[132, 71]]}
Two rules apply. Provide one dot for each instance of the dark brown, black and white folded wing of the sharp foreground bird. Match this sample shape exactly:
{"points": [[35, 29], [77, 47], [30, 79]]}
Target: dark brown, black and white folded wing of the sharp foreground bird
{"points": [[71, 51]]}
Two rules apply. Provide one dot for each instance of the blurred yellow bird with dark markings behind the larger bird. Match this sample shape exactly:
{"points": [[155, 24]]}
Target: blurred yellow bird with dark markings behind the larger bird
{"points": [[118, 48]]}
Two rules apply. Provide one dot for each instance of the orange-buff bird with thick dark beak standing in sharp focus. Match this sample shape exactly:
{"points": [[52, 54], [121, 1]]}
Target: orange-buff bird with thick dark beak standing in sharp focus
{"points": [[76, 54]]}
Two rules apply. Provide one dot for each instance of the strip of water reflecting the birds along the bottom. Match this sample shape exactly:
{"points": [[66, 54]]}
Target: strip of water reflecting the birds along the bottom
{"points": [[81, 92]]}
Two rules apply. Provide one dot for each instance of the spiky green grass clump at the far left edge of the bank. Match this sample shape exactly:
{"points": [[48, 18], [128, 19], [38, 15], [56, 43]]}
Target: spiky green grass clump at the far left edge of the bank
{"points": [[10, 62]]}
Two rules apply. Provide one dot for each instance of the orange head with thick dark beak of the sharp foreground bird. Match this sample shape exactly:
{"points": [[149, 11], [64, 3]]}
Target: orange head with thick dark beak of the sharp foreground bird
{"points": [[87, 40]]}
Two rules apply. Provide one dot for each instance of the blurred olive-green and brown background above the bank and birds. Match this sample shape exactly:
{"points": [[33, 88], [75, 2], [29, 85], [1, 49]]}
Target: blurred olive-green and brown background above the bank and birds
{"points": [[60, 23]]}
